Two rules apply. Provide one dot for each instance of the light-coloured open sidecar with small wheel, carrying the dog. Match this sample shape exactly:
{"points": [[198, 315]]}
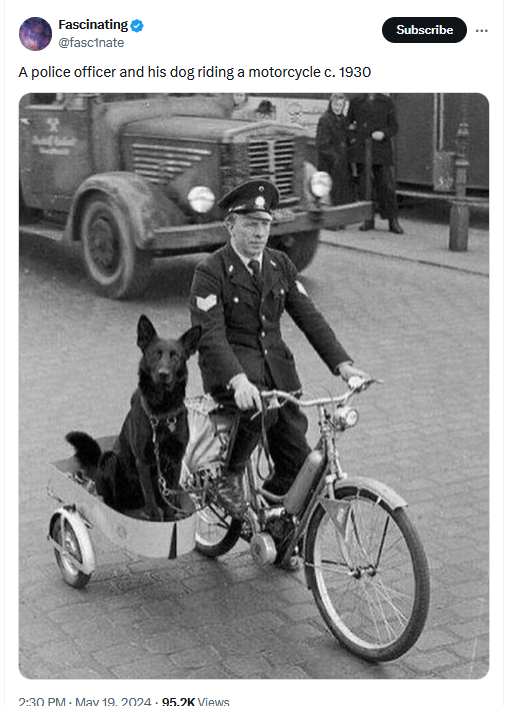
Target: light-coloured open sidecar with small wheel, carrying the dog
{"points": [[81, 510]]}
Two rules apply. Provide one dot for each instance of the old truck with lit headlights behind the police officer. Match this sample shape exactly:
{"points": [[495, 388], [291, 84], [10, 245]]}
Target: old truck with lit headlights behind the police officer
{"points": [[133, 177]]}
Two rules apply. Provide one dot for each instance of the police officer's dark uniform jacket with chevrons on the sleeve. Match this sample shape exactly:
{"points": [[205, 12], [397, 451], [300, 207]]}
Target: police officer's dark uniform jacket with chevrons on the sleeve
{"points": [[241, 325]]}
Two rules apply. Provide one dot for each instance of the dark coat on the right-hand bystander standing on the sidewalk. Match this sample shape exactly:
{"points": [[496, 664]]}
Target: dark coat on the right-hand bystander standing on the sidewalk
{"points": [[368, 115]]}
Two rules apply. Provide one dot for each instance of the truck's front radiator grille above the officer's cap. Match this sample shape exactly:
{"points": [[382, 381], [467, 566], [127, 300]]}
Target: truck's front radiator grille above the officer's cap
{"points": [[273, 159]]}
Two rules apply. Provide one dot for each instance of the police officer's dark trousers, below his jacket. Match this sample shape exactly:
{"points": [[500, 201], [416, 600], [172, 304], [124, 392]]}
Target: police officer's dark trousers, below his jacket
{"points": [[286, 430]]}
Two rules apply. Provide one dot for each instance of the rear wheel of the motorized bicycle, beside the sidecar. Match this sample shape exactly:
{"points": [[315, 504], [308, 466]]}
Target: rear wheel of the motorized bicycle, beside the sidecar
{"points": [[216, 532]]}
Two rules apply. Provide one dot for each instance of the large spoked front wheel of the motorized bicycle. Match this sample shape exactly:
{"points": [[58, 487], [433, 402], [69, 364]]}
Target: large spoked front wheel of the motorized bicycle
{"points": [[368, 572]]}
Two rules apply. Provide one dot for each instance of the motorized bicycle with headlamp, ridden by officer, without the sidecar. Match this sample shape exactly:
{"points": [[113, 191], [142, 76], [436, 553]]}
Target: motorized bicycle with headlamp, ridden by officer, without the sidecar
{"points": [[364, 560]]}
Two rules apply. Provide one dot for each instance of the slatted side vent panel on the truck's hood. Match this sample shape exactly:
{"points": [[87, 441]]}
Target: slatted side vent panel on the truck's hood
{"points": [[162, 163]]}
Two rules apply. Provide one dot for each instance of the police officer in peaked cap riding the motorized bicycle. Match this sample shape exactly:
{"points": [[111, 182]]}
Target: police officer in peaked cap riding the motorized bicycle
{"points": [[238, 296]]}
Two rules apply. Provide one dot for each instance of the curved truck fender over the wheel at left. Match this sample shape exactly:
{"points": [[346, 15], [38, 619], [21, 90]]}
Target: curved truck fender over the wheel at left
{"points": [[147, 205]]}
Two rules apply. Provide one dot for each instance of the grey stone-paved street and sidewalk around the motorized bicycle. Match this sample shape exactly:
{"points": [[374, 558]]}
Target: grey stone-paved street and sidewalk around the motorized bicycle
{"points": [[425, 328]]}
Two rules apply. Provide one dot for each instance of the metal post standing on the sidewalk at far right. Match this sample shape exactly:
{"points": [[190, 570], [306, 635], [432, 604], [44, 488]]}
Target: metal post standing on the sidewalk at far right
{"points": [[460, 211]]}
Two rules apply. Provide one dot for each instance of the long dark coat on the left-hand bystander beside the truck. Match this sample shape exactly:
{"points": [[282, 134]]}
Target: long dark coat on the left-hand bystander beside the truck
{"points": [[333, 156]]}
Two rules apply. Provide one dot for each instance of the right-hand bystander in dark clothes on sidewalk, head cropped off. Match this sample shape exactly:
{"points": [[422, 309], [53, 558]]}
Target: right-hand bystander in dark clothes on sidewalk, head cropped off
{"points": [[373, 116]]}
